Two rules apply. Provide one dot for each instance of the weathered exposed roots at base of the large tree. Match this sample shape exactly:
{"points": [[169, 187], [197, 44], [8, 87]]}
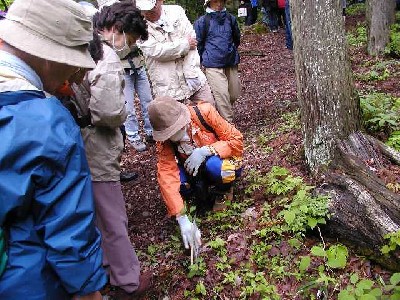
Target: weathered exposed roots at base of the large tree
{"points": [[363, 209]]}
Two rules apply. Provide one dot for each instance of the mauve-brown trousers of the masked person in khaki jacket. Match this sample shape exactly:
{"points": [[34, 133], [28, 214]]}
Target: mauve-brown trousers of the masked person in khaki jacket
{"points": [[119, 256]]}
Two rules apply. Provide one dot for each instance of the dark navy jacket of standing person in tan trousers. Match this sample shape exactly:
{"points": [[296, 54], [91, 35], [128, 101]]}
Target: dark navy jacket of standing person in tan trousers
{"points": [[218, 47]]}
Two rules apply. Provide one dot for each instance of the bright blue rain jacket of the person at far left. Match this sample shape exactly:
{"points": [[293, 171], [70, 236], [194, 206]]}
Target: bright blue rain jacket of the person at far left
{"points": [[46, 204]]}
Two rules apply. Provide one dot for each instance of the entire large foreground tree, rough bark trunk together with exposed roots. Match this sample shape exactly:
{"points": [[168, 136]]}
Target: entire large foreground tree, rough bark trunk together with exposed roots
{"points": [[363, 209]]}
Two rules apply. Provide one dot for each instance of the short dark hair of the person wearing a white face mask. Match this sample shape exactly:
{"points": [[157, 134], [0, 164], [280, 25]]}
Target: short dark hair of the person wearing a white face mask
{"points": [[125, 16]]}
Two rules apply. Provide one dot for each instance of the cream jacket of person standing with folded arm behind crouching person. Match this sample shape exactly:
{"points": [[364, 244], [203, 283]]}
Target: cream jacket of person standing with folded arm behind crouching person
{"points": [[168, 58]]}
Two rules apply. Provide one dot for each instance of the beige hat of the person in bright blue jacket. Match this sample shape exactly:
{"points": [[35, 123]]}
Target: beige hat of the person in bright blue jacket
{"points": [[56, 30]]}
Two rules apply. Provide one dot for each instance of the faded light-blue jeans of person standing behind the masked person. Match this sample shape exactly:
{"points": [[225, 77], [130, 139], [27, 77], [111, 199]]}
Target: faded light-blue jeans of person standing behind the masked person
{"points": [[137, 81]]}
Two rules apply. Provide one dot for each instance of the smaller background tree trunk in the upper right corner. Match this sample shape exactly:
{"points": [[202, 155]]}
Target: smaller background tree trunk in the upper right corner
{"points": [[380, 15]]}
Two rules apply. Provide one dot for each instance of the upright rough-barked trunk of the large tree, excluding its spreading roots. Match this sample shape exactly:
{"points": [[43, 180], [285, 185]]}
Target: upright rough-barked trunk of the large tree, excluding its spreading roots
{"points": [[329, 106]]}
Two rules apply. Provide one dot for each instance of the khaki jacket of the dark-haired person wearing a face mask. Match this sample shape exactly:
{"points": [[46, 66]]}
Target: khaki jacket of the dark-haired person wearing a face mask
{"points": [[103, 140]]}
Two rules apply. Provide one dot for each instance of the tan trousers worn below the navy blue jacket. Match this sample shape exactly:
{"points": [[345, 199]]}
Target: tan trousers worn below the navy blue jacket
{"points": [[225, 86]]}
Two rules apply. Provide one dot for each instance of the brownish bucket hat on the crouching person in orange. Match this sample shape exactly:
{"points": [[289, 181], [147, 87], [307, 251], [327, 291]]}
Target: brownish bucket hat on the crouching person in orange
{"points": [[167, 117]]}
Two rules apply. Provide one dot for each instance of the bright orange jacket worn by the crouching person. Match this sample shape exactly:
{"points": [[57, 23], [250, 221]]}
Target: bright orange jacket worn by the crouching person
{"points": [[228, 144]]}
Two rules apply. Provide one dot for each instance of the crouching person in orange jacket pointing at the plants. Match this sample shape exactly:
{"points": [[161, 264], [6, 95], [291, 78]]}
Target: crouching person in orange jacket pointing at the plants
{"points": [[198, 152]]}
